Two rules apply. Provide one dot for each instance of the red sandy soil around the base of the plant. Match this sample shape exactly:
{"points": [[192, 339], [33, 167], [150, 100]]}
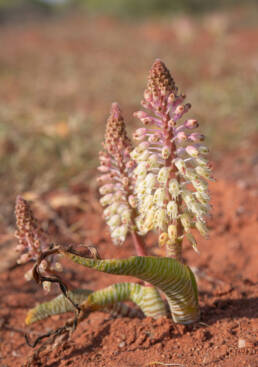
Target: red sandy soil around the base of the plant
{"points": [[227, 267]]}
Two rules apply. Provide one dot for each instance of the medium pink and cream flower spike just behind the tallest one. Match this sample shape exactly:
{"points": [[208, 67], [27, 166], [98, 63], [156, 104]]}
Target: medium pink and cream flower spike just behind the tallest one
{"points": [[116, 188]]}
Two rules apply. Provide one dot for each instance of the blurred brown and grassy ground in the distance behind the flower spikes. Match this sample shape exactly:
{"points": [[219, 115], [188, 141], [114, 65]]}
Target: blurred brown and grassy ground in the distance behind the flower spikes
{"points": [[63, 62]]}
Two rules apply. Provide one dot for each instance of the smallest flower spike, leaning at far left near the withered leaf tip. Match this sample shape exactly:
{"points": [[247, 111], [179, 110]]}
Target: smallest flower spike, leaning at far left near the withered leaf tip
{"points": [[32, 241]]}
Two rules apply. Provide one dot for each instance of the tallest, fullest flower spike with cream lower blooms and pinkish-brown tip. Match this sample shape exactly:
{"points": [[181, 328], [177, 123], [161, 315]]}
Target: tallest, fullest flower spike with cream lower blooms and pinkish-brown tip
{"points": [[171, 172]]}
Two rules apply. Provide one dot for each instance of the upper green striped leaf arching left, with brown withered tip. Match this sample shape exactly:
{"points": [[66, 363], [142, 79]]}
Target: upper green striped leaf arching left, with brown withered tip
{"points": [[170, 276]]}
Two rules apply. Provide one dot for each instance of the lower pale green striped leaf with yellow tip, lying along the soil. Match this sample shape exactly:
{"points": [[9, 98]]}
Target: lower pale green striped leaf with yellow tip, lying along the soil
{"points": [[109, 299]]}
